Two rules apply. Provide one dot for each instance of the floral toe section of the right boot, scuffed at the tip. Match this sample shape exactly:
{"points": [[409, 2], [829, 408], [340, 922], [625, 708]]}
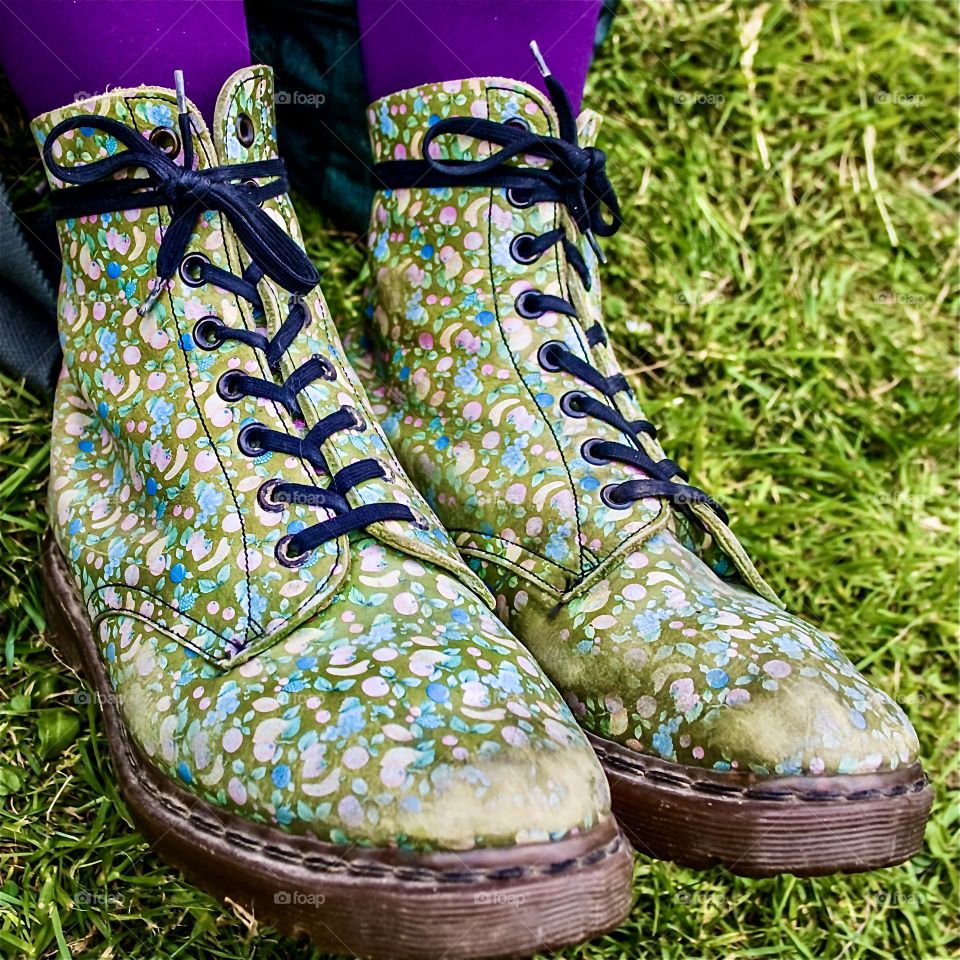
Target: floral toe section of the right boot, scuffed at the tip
{"points": [[673, 662]]}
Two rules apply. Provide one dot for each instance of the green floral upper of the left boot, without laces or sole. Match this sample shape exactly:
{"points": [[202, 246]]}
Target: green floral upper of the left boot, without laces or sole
{"points": [[368, 696]]}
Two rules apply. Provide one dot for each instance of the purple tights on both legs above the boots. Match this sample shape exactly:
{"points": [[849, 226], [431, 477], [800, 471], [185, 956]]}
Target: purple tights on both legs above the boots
{"points": [[57, 50]]}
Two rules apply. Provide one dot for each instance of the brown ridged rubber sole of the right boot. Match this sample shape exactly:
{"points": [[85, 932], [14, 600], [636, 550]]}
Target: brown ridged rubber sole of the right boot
{"points": [[762, 826]]}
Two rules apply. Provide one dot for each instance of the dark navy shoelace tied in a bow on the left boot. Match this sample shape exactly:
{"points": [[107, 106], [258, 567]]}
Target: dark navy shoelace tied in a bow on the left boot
{"points": [[234, 192]]}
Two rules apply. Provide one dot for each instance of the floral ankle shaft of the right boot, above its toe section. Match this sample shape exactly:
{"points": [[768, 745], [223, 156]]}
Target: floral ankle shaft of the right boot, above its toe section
{"points": [[488, 410]]}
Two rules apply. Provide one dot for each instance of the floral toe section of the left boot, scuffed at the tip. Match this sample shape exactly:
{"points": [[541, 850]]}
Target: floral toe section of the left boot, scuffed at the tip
{"points": [[416, 721]]}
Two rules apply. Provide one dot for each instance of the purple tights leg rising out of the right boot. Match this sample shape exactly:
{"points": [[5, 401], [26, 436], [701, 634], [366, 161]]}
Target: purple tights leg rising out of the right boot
{"points": [[408, 42]]}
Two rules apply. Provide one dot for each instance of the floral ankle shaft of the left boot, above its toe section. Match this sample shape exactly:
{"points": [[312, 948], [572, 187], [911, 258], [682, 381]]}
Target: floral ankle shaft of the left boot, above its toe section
{"points": [[159, 493]]}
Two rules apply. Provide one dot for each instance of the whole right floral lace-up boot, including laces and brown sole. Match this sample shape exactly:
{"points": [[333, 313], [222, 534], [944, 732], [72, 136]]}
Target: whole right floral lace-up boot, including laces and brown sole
{"points": [[731, 731]]}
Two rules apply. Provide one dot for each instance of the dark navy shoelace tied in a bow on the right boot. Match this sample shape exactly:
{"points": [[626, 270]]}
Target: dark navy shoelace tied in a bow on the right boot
{"points": [[576, 177]]}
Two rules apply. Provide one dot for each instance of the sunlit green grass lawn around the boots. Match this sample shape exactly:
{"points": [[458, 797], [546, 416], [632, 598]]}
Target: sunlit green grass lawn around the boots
{"points": [[785, 291]]}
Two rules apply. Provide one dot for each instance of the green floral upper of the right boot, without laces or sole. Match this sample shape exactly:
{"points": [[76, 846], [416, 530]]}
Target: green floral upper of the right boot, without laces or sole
{"points": [[649, 645]]}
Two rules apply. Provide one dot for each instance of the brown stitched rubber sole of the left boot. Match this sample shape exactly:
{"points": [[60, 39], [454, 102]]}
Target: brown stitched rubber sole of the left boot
{"points": [[393, 904]]}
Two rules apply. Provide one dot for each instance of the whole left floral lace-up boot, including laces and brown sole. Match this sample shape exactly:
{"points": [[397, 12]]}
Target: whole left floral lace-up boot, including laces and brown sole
{"points": [[311, 707]]}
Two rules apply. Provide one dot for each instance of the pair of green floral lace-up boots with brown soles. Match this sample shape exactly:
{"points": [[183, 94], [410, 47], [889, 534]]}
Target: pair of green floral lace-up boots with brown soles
{"points": [[398, 669]]}
